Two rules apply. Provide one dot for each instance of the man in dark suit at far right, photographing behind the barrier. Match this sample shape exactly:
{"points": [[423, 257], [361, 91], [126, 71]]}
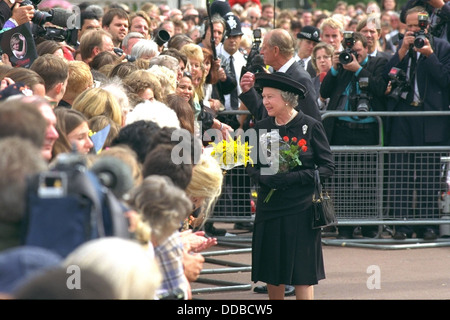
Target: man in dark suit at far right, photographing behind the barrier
{"points": [[427, 70]]}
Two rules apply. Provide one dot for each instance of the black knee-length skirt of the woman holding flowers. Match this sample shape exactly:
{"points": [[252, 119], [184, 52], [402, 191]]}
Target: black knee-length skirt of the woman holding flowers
{"points": [[286, 250]]}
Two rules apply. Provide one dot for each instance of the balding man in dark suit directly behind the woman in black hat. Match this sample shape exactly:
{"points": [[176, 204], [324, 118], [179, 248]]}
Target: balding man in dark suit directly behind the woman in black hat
{"points": [[278, 52]]}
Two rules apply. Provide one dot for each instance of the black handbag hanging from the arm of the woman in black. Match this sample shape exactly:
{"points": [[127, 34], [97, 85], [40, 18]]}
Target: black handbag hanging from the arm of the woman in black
{"points": [[323, 208]]}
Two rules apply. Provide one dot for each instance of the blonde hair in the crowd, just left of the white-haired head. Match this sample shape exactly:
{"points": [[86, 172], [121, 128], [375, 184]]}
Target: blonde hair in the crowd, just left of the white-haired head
{"points": [[98, 101]]}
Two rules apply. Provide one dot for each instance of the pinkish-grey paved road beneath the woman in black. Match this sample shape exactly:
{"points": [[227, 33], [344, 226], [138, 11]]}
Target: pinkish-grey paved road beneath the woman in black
{"points": [[353, 273]]}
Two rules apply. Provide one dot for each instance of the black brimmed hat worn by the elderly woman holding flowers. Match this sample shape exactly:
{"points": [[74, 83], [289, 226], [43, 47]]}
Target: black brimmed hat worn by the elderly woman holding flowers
{"points": [[279, 80]]}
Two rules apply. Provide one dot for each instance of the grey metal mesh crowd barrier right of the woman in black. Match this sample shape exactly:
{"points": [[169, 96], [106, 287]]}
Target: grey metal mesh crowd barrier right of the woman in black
{"points": [[365, 187]]}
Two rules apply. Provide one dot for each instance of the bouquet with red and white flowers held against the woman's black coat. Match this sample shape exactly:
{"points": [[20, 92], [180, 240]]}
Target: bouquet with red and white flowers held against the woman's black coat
{"points": [[282, 153]]}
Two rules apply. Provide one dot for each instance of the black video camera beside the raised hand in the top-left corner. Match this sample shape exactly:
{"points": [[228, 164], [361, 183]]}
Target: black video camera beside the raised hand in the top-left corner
{"points": [[56, 16]]}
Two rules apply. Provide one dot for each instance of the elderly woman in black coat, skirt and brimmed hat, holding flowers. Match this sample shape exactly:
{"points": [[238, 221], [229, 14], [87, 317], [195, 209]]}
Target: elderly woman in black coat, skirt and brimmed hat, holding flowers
{"points": [[286, 249]]}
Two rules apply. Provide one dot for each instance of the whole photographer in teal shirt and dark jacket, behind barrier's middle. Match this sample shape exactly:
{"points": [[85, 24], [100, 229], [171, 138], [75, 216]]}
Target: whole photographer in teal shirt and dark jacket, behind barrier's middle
{"points": [[354, 83]]}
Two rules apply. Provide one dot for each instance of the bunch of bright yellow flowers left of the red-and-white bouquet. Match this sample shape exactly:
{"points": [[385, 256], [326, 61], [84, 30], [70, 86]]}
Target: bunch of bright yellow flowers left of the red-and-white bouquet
{"points": [[231, 153]]}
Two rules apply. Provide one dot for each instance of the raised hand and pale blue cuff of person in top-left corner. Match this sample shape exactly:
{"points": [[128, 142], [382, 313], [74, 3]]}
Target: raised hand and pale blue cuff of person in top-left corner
{"points": [[12, 14]]}
